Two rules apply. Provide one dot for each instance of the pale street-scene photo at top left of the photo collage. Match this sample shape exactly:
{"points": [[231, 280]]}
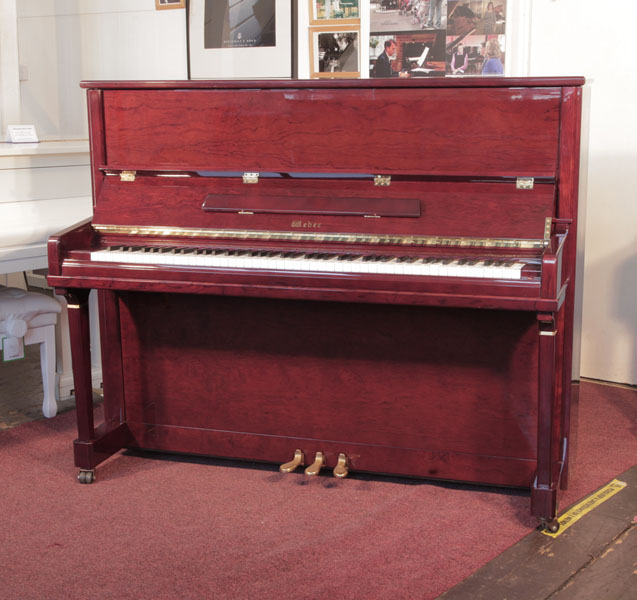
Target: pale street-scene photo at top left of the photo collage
{"points": [[407, 15]]}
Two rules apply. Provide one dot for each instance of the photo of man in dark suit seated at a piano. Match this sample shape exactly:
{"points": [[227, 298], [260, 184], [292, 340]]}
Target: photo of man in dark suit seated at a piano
{"points": [[407, 55]]}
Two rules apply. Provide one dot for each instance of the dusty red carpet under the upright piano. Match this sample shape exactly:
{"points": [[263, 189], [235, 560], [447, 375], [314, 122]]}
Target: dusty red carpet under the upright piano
{"points": [[189, 528]]}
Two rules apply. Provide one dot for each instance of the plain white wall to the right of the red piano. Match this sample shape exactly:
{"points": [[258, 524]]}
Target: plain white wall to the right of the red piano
{"points": [[577, 37]]}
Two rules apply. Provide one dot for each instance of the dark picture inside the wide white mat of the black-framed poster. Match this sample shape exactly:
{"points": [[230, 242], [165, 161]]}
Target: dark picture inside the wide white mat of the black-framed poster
{"points": [[242, 24]]}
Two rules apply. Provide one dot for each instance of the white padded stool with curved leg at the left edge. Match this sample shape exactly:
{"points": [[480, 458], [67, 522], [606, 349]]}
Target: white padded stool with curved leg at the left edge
{"points": [[33, 316]]}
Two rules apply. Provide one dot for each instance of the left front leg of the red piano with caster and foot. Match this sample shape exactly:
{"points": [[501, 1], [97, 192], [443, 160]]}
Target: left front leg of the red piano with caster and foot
{"points": [[93, 445]]}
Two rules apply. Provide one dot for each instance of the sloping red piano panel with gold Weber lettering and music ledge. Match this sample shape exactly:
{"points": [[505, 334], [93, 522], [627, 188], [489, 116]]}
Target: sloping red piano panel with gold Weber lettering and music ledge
{"points": [[446, 208]]}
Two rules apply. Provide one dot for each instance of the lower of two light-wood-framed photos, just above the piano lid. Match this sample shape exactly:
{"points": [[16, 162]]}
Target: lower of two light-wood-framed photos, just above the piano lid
{"points": [[334, 52]]}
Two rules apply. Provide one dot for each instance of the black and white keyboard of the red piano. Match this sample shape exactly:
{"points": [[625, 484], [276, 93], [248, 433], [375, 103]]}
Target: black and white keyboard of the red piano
{"points": [[312, 261]]}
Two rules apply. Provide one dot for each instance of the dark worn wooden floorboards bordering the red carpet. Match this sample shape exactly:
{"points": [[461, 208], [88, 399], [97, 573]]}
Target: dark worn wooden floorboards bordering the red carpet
{"points": [[596, 558]]}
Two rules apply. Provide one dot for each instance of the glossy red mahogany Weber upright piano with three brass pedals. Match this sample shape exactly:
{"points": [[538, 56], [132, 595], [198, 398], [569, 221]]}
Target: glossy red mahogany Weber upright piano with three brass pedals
{"points": [[358, 276]]}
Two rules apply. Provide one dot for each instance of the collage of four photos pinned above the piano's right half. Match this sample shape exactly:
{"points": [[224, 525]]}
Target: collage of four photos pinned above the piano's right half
{"points": [[436, 38]]}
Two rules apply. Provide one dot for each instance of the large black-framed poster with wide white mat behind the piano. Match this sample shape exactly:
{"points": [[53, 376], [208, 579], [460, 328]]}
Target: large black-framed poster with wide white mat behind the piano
{"points": [[240, 39]]}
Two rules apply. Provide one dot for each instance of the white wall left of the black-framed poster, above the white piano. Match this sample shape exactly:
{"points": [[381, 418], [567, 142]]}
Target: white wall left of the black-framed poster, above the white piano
{"points": [[62, 42]]}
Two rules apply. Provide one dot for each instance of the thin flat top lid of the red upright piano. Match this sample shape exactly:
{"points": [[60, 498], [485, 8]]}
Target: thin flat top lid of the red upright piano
{"points": [[398, 82]]}
